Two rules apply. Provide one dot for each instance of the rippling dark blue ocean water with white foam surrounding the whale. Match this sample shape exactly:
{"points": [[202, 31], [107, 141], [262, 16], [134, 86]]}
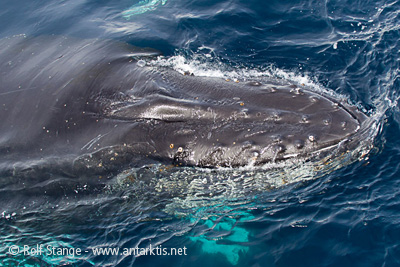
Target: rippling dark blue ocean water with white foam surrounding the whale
{"points": [[347, 216]]}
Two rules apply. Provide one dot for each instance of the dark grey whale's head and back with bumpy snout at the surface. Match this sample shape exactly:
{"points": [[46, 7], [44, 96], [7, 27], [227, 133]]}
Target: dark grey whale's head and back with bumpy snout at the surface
{"points": [[88, 103]]}
